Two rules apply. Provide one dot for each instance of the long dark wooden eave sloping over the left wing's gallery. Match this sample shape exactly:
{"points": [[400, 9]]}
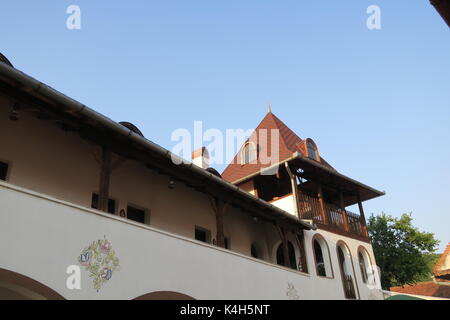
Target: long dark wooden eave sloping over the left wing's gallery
{"points": [[48, 104]]}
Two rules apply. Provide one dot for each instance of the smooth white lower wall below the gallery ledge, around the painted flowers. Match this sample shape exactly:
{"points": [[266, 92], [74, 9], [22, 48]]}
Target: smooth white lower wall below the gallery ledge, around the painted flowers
{"points": [[40, 237]]}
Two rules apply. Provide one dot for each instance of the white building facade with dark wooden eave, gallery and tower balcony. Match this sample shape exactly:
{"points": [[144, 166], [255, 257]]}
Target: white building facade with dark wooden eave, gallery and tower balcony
{"points": [[90, 209]]}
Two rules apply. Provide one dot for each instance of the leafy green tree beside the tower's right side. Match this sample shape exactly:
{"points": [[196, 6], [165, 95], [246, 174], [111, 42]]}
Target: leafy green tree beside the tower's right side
{"points": [[401, 250]]}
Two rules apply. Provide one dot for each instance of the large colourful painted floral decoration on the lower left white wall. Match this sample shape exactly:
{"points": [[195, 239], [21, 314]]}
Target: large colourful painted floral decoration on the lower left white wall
{"points": [[100, 260]]}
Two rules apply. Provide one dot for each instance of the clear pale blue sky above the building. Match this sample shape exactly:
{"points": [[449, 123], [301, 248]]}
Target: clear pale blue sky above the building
{"points": [[377, 103]]}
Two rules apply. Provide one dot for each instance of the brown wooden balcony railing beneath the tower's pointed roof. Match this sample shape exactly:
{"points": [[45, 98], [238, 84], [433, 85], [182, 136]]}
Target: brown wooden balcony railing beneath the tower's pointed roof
{"points": [[310, 209]]}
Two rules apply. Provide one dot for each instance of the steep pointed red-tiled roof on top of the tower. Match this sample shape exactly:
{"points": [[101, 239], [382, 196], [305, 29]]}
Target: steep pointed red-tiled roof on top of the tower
{"points": [[289, 143]]}
